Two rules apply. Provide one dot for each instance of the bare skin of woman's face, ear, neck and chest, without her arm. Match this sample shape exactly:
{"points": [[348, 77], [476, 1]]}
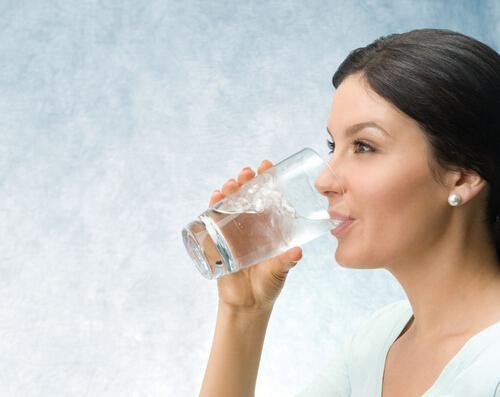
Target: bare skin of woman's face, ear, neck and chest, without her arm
{"points": [[441, 255]]}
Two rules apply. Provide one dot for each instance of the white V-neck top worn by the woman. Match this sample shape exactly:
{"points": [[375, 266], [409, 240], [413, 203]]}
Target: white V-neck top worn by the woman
{"points": [[473, 372]]}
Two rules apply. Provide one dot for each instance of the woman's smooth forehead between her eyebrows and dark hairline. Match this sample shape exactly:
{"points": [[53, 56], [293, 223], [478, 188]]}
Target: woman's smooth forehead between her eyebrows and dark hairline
{"points": [[355, 102]]}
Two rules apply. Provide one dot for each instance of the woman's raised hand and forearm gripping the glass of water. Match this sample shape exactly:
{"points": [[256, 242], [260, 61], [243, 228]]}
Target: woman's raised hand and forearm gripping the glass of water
{"points": [[246, 300]]}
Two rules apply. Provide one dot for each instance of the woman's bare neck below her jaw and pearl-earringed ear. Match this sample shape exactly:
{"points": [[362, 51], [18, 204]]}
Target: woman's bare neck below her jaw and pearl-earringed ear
{"points": [[454, 289]]}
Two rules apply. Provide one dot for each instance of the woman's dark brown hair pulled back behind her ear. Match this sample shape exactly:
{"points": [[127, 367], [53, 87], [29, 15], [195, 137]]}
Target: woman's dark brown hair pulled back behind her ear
{"points": [[450, 84]]}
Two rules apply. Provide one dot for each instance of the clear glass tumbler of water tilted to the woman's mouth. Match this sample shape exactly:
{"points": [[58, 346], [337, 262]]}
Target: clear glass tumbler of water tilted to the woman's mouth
{"points": [[277, 210]]}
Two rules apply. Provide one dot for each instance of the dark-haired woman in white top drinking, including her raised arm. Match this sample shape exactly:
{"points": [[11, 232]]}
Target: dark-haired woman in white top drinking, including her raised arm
{"points": [[416, 142]]}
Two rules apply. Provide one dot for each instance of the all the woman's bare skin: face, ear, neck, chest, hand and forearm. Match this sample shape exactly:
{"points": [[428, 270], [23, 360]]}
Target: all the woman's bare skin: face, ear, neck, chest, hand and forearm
{"points": [[397, 195]]}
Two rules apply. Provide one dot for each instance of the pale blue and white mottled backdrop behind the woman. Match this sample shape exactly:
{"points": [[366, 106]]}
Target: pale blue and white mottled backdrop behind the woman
{"points": [[118, 119]]}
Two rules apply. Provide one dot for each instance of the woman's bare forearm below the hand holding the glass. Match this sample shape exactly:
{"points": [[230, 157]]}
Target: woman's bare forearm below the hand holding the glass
{"points": [[236, 349]]}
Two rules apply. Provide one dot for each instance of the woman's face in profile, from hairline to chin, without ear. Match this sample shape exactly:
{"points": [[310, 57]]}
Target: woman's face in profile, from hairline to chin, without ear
{"points": [[399, 209]]}
